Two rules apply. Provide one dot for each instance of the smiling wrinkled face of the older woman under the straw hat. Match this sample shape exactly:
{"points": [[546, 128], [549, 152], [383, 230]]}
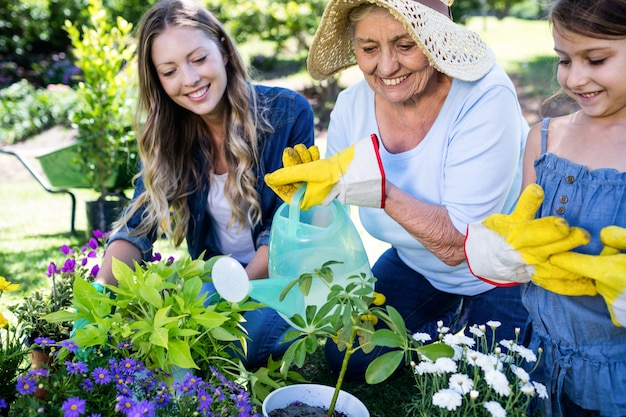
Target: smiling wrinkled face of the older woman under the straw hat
{"points": [[392, 63]]}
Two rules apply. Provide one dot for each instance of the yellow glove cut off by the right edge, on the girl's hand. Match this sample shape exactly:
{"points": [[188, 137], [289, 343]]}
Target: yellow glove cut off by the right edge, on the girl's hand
{"points": [[608, 270]]}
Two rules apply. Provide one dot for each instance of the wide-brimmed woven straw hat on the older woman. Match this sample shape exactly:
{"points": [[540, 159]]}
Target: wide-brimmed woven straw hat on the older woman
{"points": [[450, 48]]}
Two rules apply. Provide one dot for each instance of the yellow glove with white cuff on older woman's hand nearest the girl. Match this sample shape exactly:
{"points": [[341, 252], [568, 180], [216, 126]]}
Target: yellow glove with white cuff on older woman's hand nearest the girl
{"points": [[513, 249]]}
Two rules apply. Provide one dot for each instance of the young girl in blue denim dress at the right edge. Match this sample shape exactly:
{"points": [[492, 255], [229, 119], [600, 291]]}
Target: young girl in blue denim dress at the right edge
{"points": [[580, 161]]}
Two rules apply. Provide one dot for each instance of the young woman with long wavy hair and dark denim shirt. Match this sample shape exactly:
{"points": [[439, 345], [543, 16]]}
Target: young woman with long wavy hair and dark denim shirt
{"points": [[206, 138]]}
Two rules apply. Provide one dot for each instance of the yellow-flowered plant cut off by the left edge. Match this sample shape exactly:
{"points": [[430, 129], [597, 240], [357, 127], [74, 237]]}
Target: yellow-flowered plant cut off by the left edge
{"points": [[12, 352]]}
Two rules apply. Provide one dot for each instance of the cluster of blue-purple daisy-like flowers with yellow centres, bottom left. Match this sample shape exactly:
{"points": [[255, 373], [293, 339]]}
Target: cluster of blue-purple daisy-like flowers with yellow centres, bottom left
{"points": [[105, 386]]}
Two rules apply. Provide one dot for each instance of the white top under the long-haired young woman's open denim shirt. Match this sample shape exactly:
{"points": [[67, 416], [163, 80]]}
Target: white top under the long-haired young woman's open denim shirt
{"points": [[233, 240]]}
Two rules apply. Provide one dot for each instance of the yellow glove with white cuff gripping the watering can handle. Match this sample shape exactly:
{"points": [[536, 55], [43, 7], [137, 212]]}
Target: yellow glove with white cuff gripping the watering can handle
{"points": [[354, 175]]}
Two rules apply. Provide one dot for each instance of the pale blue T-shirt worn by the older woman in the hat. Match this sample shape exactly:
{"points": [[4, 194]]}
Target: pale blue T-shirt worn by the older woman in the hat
{"points": [[470, 162]]}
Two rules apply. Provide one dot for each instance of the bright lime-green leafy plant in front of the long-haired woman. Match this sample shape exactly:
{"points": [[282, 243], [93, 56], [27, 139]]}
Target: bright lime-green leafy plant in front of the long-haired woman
{"points": [[160, 310]]}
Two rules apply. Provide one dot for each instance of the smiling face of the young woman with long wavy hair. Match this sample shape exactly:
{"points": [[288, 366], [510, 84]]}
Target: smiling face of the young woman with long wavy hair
{"points": [[191, 68]]}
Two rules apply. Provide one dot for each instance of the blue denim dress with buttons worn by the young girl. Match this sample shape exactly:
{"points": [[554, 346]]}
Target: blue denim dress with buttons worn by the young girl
{"points": [[584, 353]]}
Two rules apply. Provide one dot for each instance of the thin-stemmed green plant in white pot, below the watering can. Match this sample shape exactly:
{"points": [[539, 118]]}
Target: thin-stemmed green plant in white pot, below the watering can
{"points": [[350, 313]]}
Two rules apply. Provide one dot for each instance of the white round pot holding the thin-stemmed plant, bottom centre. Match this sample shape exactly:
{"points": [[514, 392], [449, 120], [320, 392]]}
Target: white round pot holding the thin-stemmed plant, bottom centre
{"points": [[314, 395]]}
